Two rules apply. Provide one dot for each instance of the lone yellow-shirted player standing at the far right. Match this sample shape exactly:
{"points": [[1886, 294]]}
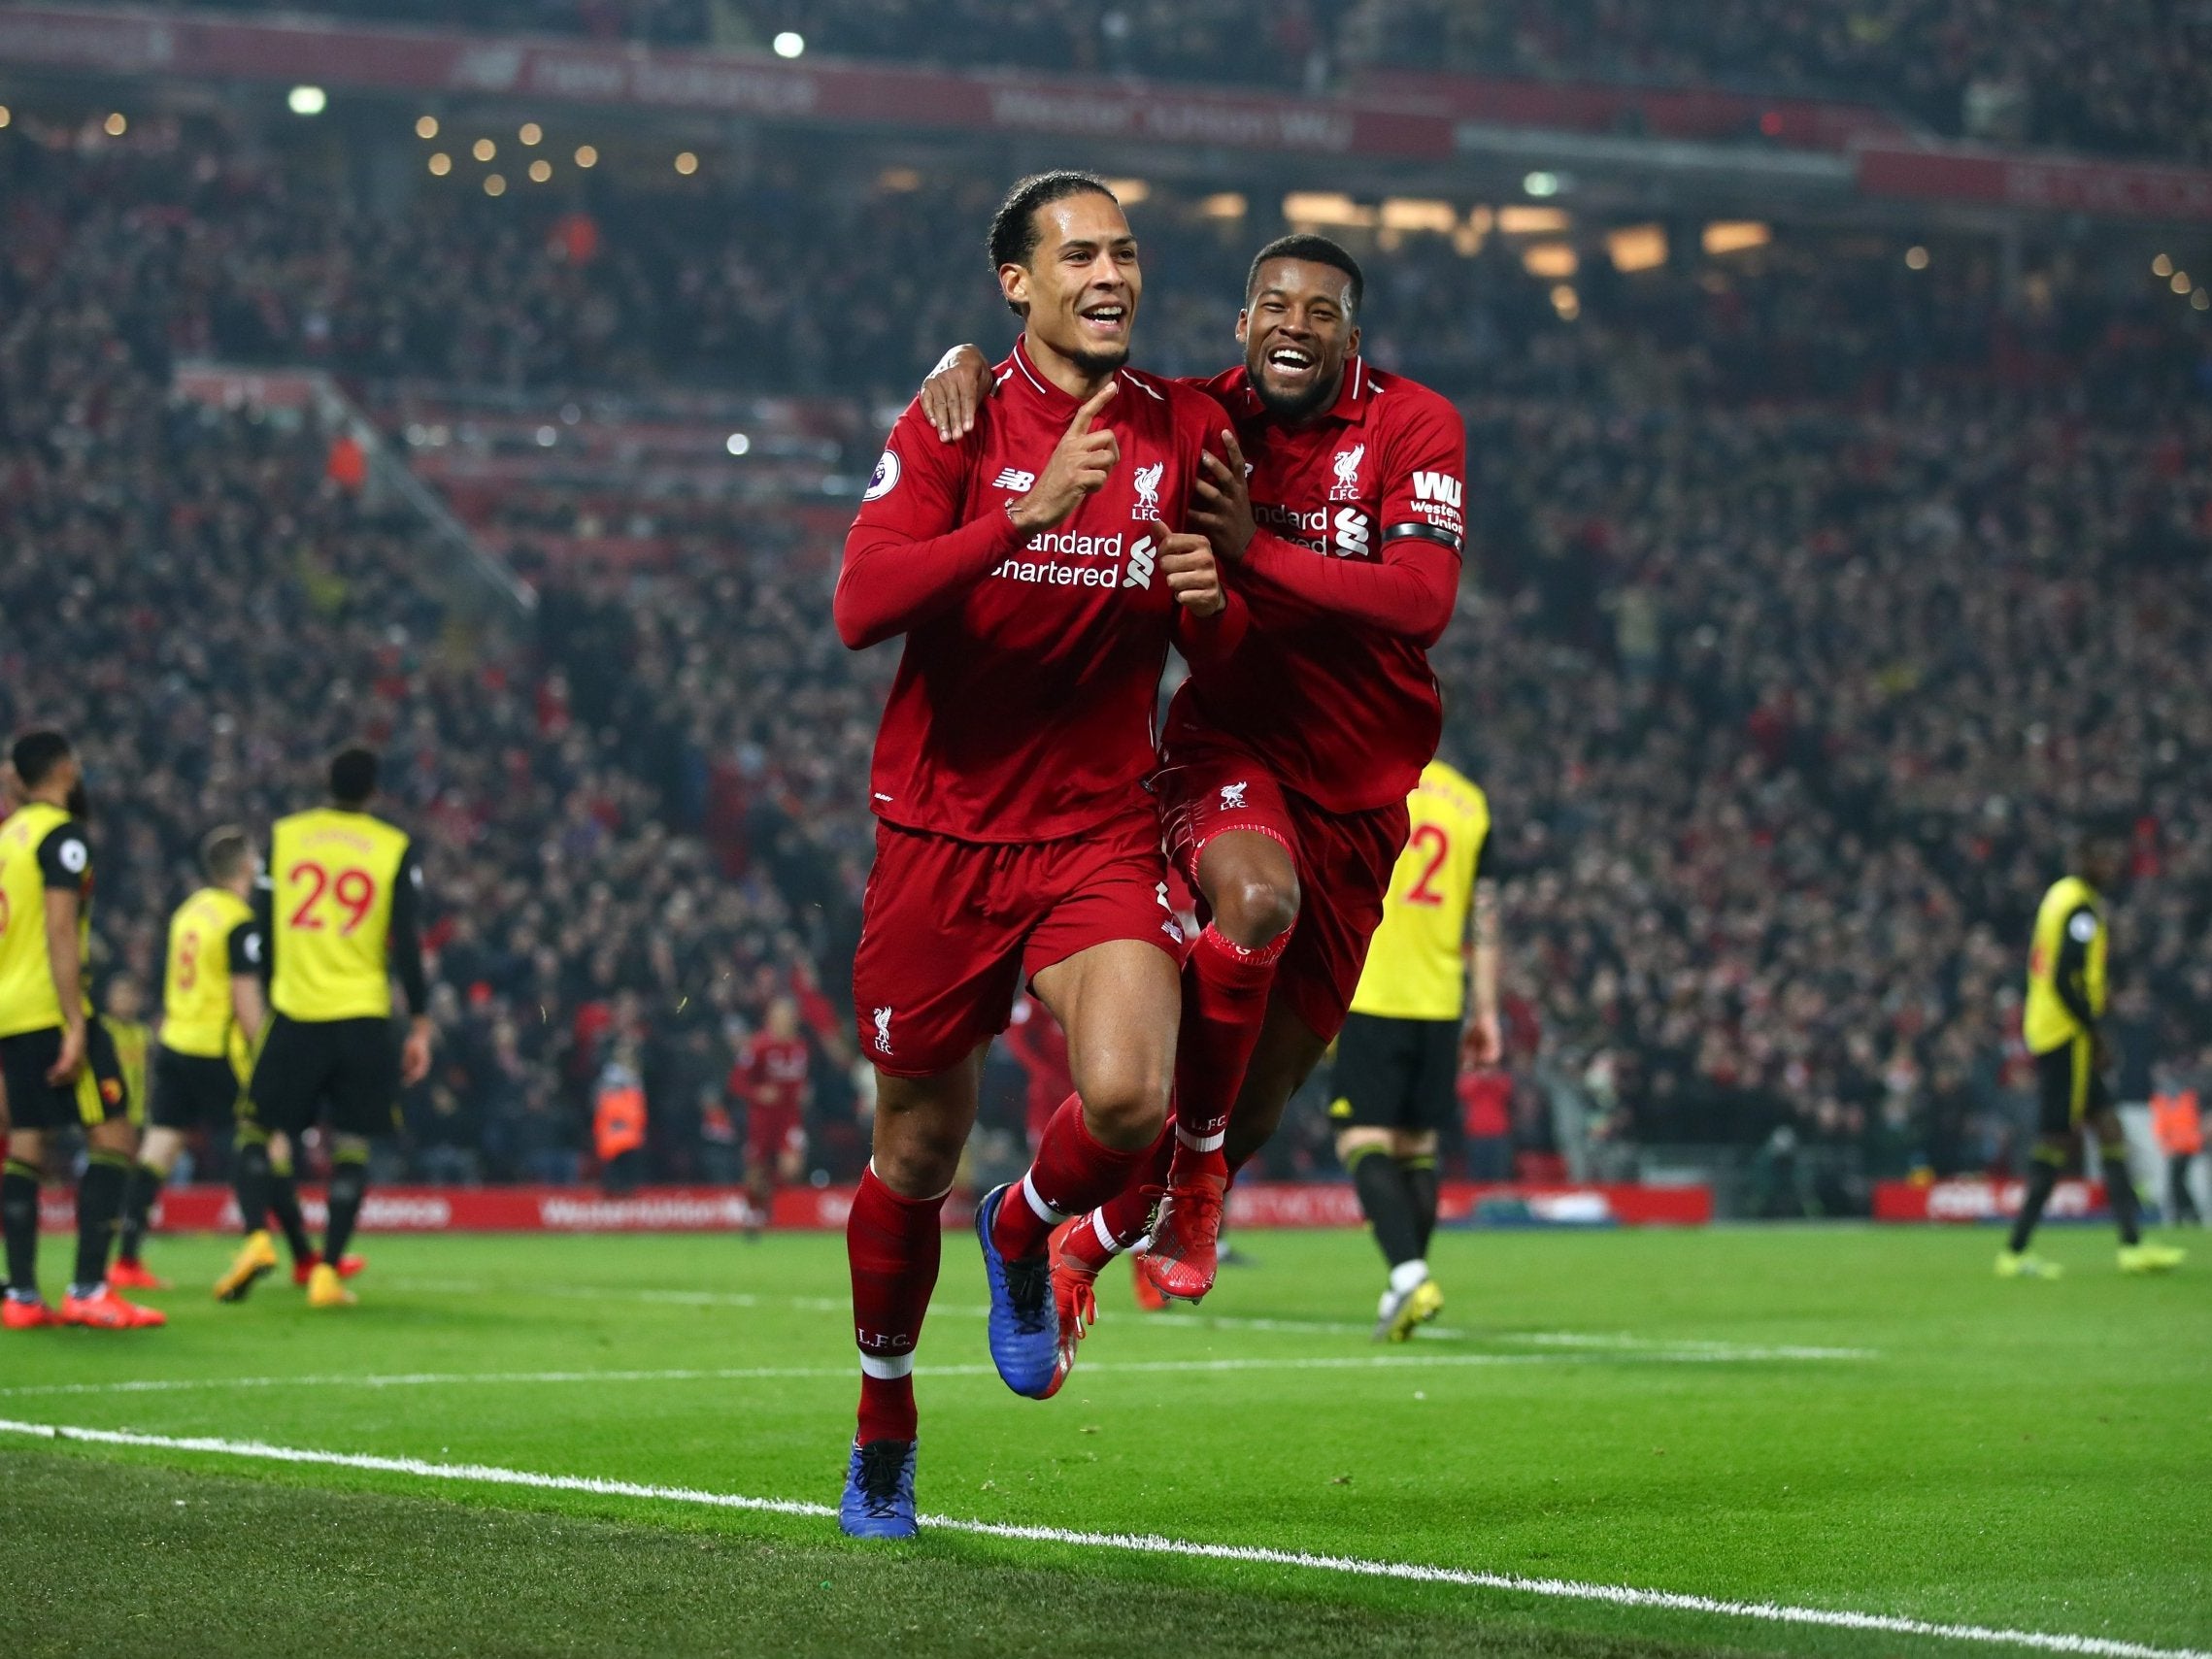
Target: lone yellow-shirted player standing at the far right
{"points": [[2060, 1023]]}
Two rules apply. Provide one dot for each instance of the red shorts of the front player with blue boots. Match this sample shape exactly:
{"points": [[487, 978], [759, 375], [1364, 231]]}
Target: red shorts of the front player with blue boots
{"points": [[952, 928]]}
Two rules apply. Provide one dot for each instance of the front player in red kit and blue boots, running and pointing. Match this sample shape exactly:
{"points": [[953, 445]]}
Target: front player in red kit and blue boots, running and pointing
{"points": [[1039, 585]]}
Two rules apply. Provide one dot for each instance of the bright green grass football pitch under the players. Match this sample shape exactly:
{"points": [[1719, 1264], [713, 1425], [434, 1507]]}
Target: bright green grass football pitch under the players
{"points": [[1817, 1419]]}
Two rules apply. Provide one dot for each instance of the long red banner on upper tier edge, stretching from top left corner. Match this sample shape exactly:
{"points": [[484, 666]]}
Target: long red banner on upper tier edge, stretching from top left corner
{"points": [[705, 81]]}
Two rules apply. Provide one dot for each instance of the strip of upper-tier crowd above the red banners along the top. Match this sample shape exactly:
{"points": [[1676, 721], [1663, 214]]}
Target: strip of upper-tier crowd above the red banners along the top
{"points": [[2067, 74]]}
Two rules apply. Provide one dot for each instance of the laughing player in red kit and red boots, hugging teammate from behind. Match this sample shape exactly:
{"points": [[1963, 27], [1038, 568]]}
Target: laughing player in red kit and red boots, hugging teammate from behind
{"points": [[1284, 775]]}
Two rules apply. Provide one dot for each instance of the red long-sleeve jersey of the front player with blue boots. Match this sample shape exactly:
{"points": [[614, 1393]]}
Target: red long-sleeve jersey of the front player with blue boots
{"points": [[1023, 705]]}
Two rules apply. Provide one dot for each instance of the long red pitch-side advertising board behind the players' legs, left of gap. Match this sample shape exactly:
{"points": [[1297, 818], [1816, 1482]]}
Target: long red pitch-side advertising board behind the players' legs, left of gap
{"points": [[685, 1209]]}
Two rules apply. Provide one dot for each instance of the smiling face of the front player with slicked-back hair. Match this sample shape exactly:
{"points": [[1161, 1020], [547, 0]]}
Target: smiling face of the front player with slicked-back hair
{"points": [[1078, 293]]}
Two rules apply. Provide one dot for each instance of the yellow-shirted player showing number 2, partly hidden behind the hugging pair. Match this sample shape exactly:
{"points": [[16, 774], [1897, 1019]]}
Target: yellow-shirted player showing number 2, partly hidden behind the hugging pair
{"points": [[1399, 1054]]}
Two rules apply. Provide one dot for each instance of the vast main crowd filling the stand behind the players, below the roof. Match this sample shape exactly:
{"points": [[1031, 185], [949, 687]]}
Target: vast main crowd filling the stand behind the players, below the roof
{"points": [[1786, 665]]}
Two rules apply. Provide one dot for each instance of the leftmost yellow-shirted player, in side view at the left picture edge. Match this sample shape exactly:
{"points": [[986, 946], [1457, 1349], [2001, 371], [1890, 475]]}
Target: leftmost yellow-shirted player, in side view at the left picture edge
{"points": [[56, 1063]]}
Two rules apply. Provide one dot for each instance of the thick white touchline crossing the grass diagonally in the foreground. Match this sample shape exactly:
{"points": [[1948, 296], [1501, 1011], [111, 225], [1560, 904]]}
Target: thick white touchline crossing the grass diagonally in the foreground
{"points": [[1138, 1543]]}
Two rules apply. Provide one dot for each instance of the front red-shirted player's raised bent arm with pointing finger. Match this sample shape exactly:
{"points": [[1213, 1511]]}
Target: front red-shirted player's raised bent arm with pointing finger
{"points": [[904, 565]]}
